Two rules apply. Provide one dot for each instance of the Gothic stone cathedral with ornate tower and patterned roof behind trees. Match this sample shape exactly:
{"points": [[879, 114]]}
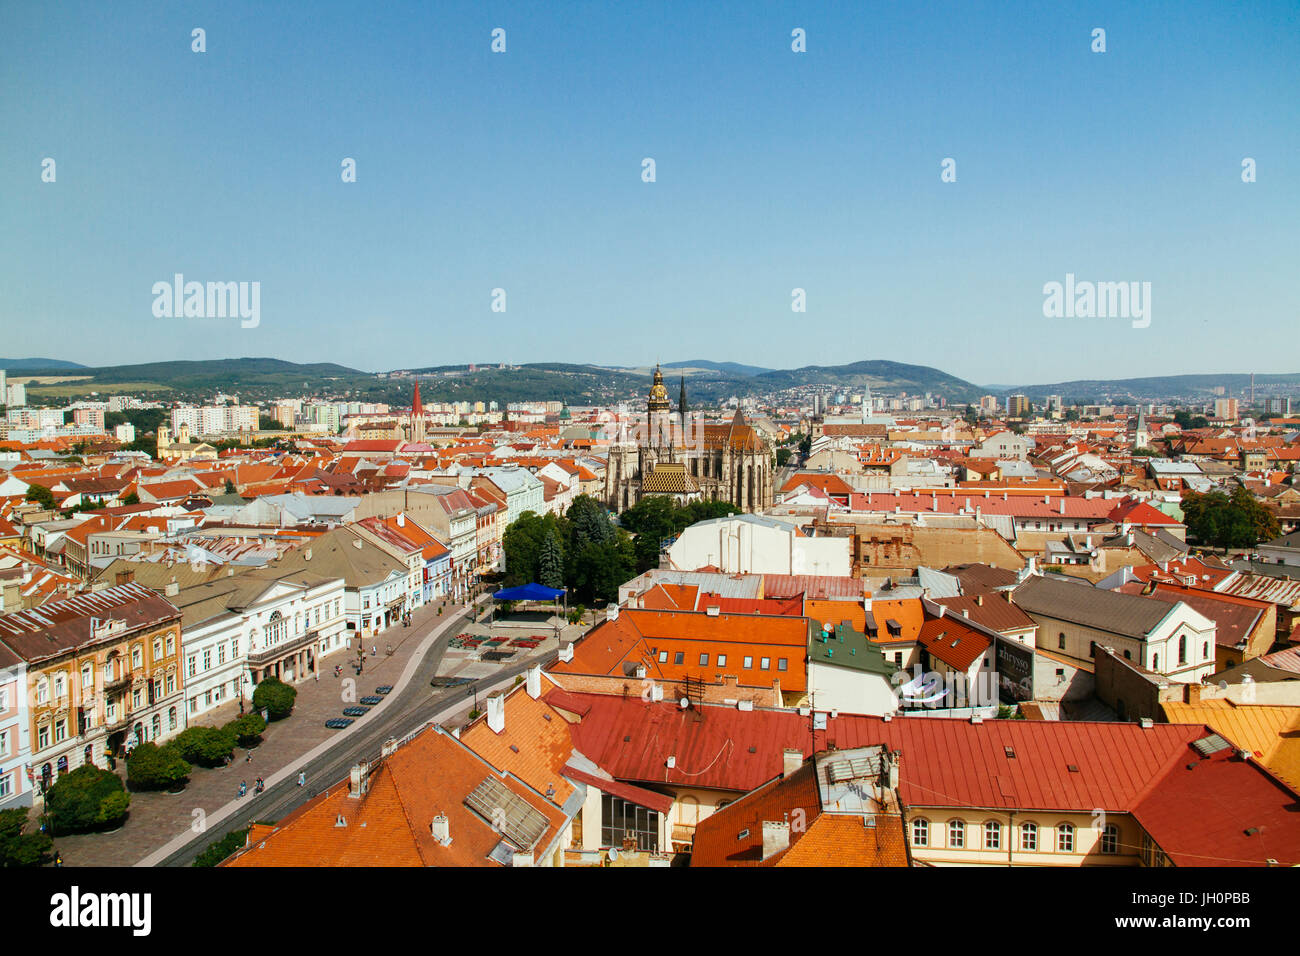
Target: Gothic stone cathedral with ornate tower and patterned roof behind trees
{"points": [[723, 462]]}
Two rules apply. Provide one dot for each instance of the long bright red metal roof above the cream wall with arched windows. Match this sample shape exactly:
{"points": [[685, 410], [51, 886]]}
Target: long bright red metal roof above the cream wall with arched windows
{"points": [[995, 764]]}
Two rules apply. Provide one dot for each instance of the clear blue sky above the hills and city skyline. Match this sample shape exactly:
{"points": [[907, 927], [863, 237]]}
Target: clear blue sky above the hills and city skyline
{"points": [[775, 170]]}
